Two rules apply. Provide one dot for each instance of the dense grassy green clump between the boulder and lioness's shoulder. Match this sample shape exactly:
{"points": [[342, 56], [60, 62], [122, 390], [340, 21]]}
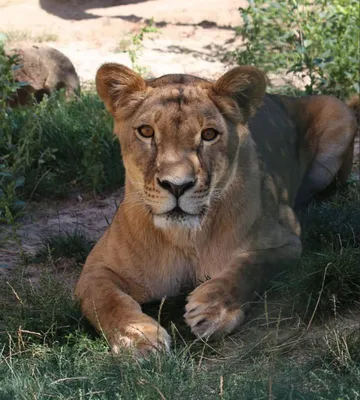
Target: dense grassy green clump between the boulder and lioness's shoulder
{"points": [[62, 145]]}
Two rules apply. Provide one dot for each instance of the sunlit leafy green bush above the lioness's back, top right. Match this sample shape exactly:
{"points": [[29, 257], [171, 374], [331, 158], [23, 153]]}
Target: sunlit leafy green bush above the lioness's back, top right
{"points": [[315, 39]]}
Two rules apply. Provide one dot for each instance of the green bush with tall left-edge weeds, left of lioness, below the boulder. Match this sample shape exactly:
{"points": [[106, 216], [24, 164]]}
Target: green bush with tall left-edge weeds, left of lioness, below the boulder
{"points": [[53, 147]]}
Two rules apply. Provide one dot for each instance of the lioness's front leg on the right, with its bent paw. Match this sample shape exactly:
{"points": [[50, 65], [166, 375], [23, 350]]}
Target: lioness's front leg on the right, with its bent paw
{"points": [[217, 306]]}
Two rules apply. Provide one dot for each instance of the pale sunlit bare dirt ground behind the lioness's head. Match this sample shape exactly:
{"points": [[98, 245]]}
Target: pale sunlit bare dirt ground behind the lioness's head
{"points": [[193, 34]]}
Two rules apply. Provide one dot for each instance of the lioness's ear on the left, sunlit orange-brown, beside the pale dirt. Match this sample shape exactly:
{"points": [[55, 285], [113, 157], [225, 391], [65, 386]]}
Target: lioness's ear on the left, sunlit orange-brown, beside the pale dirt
{"points": [[119, 87]]}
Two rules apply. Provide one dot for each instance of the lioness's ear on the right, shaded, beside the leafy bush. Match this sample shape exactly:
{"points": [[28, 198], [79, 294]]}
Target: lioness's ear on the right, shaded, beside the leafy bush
{"points": [[245, 86]]}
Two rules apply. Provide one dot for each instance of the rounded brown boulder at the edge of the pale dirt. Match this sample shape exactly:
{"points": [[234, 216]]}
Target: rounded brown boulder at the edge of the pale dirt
{"points": [[46, 70]]}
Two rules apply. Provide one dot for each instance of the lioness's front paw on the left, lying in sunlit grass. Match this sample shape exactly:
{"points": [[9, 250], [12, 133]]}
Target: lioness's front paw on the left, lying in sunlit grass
{"points": [[144, 336]]}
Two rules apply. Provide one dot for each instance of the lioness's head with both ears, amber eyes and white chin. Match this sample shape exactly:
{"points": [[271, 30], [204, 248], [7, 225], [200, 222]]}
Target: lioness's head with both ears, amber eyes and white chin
{"points": [[179, 136]]}
